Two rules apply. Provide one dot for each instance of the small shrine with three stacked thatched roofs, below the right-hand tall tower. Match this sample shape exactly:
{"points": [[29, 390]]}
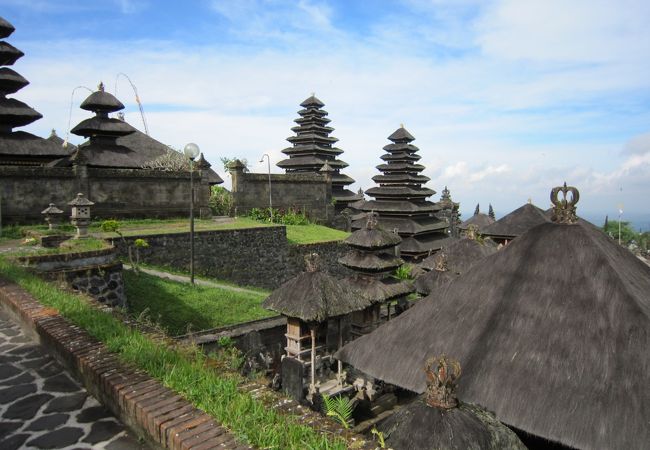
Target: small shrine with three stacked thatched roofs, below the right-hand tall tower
{"points": [[372, 257]]}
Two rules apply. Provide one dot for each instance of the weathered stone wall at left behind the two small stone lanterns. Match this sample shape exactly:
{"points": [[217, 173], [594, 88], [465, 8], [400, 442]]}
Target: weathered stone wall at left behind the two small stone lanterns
{"points": [[117, 193]]}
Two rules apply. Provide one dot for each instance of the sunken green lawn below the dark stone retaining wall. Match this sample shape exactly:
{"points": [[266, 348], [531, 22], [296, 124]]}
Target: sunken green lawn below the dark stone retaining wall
{"points": [[181, 307]]}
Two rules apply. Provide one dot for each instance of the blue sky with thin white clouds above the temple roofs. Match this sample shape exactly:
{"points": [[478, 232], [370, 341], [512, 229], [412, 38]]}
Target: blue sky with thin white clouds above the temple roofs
{"points": [[506, 98]]}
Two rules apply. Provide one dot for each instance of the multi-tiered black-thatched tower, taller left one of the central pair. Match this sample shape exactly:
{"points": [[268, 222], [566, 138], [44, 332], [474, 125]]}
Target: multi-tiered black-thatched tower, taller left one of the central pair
{"points": [[313, 147]]}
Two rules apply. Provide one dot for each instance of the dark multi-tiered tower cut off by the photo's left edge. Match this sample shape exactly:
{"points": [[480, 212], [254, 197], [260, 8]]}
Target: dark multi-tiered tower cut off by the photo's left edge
{"points": [[19, 147]]}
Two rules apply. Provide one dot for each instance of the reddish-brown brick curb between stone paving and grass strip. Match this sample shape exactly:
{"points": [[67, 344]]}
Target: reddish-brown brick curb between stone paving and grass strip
{"points": [[152, 411]]}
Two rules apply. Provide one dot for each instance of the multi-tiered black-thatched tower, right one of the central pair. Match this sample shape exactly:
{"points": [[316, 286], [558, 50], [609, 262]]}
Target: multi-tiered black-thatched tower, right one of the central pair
{"points": [[400, 200]]}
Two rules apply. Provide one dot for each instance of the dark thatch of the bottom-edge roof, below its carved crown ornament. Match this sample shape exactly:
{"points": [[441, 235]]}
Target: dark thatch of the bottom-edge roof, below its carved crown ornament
{"points": [[422, 427]]}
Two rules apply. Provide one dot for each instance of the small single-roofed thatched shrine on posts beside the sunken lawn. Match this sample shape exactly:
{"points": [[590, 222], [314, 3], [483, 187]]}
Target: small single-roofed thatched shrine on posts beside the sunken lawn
{"points": [[309, 301]]}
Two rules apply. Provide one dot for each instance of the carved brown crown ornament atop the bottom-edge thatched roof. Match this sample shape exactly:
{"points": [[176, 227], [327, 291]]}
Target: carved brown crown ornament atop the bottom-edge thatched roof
{"points": [[442, 375]]}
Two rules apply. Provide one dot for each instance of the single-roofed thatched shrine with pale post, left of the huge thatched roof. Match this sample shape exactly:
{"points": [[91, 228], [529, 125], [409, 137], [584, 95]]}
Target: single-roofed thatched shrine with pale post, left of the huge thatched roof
{"points": [[312, 302]]}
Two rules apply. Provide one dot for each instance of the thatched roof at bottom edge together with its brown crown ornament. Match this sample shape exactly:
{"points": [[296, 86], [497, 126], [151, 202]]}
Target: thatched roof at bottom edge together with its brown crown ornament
{"points": [[438, 421]]}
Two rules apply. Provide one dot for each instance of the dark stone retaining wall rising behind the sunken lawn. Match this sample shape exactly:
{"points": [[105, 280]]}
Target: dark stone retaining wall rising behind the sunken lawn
{"points": [[260, 257]]}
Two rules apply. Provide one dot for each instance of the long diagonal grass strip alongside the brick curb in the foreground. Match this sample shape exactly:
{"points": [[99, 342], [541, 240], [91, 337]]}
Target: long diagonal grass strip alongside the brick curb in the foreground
{"points": [[185, 370]]}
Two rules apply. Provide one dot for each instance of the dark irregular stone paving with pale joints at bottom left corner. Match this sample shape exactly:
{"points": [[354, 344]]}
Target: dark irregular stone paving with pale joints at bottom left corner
{"points": [[41, 406]]}
